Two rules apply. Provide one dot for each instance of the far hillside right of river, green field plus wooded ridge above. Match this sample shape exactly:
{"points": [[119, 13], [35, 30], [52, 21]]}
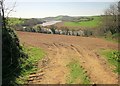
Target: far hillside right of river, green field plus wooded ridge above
{"points": [[92, 22]]}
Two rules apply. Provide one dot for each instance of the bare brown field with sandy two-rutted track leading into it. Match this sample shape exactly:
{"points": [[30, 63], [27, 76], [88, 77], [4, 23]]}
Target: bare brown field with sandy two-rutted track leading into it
{"points": [[62, 49]]}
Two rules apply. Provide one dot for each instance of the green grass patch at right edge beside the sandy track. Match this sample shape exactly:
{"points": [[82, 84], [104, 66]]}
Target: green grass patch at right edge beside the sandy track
{"points": [[113, 57]]}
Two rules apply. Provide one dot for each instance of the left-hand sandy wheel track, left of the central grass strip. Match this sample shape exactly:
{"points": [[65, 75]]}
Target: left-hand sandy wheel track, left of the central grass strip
{"points": [[56, 70]]}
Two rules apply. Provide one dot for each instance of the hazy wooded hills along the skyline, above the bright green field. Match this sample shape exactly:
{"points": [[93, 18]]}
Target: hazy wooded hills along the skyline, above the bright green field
{"points": [[33, 21]]}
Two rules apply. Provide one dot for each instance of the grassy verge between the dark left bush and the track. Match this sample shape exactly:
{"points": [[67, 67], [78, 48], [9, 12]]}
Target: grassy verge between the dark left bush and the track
{"points": [[28, 64]]}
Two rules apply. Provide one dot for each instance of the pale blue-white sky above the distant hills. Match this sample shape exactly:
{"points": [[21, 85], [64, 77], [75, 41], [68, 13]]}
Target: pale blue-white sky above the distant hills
{"points": [[51, 8]]}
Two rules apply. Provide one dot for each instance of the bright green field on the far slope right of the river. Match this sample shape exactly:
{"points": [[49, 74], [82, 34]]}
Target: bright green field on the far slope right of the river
{"points": [[89, 24]]}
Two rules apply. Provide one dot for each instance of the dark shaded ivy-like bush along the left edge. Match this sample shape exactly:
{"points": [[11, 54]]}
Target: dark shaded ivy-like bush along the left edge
{"points": [[11, 52]]}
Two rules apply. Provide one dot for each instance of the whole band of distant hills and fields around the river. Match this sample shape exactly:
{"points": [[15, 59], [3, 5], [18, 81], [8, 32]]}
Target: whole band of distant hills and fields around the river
{"points": [[67, 21]]}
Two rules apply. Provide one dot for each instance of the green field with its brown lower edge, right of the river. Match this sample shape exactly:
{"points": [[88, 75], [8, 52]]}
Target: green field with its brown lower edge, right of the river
{"points": [[81, 25]]}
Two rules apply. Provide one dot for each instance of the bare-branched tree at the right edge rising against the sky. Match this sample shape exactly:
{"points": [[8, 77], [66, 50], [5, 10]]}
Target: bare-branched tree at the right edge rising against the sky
{"points": [[110, 20]]}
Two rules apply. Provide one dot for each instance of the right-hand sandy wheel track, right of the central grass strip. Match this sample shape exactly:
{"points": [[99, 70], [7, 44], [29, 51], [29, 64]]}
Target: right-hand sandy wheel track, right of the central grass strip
{"points": [[94, 68]]}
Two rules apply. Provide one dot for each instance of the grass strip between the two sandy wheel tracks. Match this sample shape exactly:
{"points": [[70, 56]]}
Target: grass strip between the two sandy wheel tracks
{"points": [[77, 74]]}
